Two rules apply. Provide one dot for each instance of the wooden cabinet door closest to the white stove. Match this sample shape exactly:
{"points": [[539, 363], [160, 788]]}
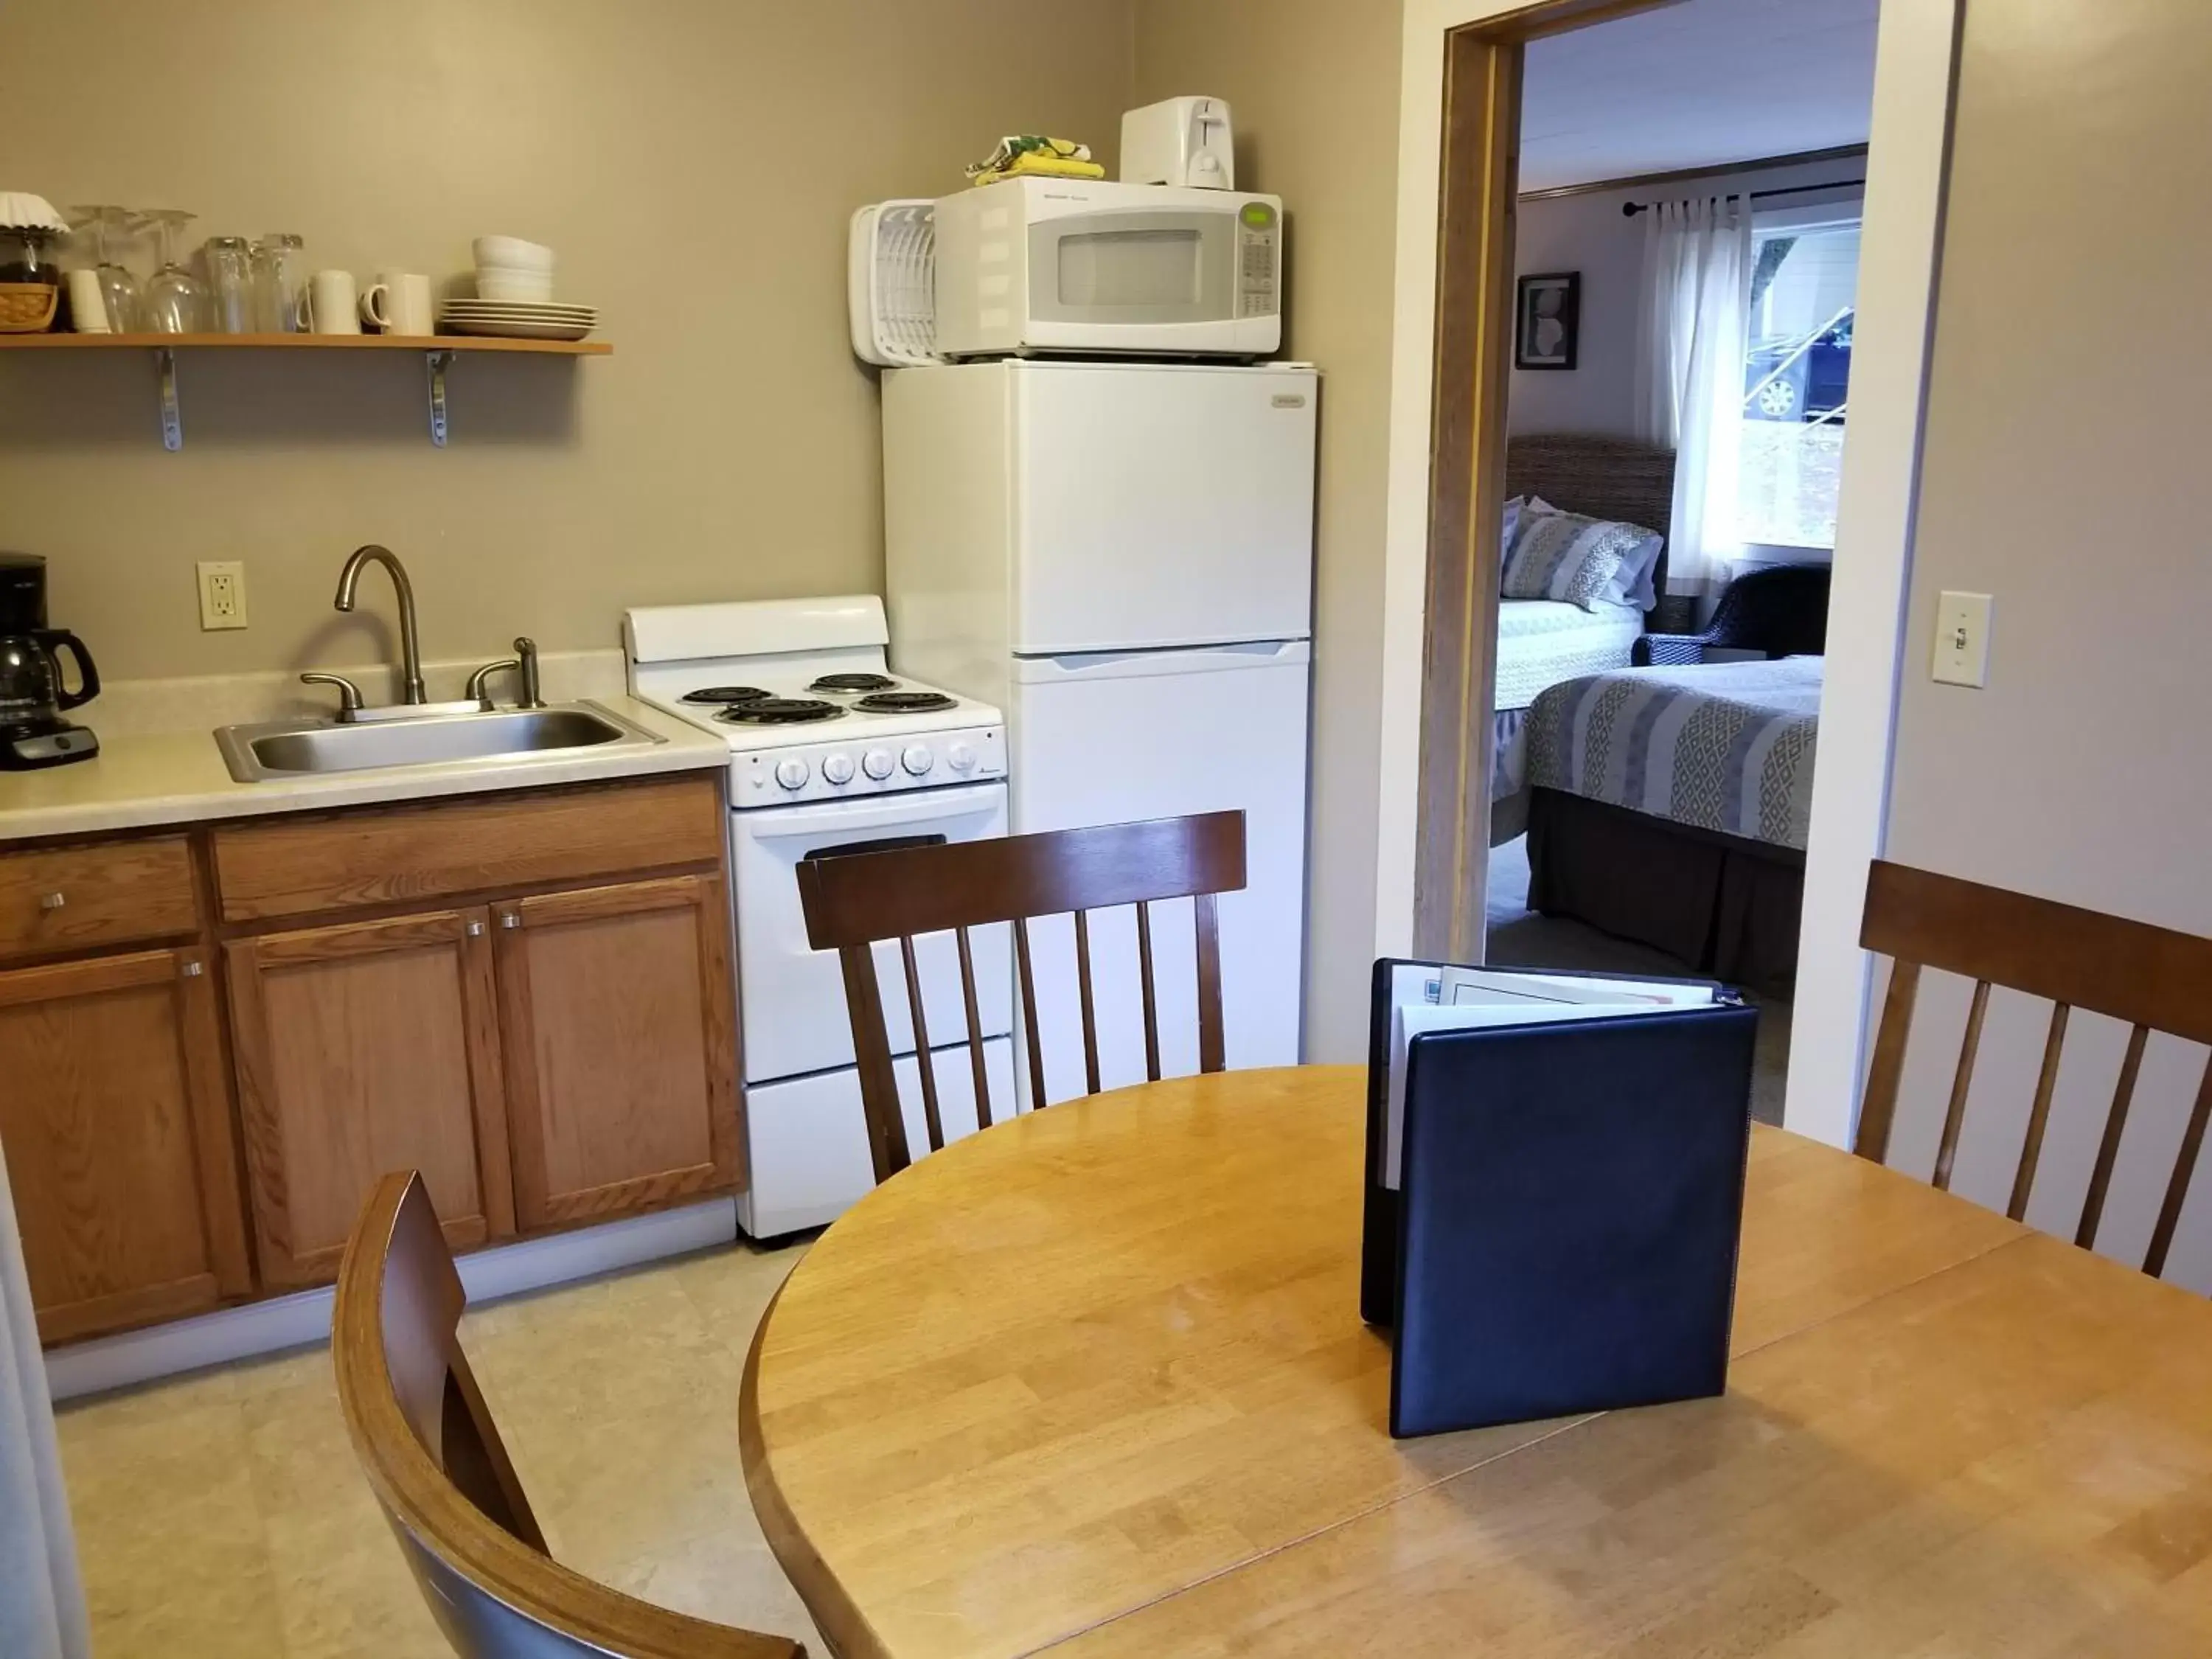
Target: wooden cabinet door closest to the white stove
{"points": [[620, 1047]]}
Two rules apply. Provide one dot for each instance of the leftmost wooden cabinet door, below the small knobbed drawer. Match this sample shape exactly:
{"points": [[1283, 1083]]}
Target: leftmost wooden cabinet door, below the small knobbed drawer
{"points": [[118, 1140]]}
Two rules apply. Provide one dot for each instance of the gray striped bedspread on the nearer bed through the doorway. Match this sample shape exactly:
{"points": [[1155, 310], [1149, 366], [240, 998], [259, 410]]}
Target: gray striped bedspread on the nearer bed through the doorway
{"points": [[1720, 747]]}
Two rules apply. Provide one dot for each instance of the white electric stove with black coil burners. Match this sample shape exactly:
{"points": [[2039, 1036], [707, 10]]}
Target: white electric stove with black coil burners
{"points": [[831, 753]]}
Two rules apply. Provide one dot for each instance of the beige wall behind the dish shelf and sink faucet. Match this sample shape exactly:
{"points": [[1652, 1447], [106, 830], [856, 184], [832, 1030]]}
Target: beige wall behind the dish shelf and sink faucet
{"points": [[696, 165]]}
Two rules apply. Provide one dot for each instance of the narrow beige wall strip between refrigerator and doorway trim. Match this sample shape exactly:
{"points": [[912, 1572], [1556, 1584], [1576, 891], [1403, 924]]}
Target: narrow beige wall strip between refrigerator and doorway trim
{"points": [[1315, 92]]}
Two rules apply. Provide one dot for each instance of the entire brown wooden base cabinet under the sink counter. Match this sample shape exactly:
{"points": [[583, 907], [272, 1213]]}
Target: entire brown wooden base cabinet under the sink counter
{"points": [[523, 997]]}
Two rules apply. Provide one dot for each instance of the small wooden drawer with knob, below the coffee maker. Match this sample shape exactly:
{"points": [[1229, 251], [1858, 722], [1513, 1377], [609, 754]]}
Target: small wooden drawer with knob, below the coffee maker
{"points": [[67, 899]]}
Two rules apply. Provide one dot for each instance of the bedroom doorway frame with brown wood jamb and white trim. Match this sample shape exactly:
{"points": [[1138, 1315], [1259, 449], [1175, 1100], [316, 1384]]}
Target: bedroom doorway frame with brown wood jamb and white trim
{"points": [[1457, 174]]}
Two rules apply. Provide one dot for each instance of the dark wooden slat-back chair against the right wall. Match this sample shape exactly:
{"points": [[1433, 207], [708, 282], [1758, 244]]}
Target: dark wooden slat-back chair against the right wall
{"points": [[2076, 959]]}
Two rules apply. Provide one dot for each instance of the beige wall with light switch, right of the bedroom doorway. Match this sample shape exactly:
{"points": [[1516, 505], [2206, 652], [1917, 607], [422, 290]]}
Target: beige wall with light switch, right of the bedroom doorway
{"points": [[2063, 474]]}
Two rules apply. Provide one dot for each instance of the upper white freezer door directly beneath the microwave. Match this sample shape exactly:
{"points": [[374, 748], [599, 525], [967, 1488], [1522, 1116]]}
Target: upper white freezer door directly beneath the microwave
{"points": [[1160, 505]]}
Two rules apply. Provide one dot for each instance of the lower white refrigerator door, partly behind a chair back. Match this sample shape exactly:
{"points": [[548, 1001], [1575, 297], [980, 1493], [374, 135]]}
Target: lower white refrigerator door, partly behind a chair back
{"points": [[1151, 735]]}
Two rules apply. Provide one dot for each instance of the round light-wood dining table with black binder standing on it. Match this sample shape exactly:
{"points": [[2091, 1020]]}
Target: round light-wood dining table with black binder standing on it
{"points": [[1096, 1381]]}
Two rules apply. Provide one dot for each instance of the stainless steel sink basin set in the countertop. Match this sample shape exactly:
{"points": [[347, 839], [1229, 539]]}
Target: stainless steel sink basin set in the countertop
{"points": [[313, 747]]}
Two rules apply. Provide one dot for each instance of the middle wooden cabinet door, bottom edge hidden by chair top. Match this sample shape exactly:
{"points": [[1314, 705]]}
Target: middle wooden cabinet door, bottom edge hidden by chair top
{"points": [[364, 1050]]}
